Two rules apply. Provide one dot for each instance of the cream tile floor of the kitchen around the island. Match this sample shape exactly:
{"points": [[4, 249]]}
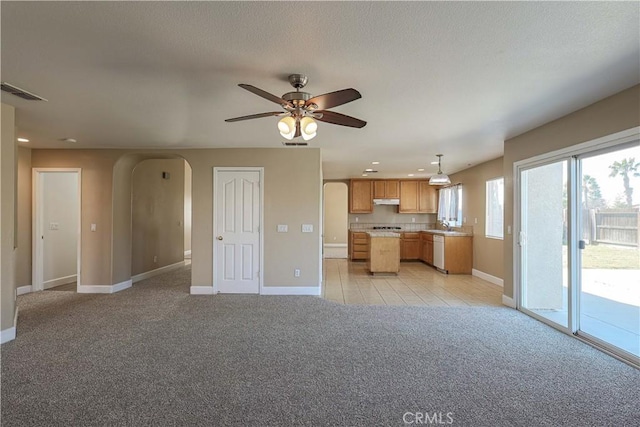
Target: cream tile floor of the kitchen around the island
{"points": [[417, 284]]}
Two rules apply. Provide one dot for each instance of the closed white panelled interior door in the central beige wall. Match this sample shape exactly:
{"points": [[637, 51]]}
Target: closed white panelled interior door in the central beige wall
{"points": [[237, 212]]}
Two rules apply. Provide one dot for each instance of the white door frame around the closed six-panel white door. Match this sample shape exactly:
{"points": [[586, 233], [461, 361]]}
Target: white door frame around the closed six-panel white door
{"points": [[260, 170]]}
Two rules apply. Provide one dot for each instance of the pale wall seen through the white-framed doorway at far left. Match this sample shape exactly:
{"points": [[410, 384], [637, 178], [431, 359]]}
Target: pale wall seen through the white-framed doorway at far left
{"points": [[60, 206]]}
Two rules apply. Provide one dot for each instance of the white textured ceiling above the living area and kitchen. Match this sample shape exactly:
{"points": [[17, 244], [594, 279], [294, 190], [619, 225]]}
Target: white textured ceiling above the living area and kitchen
{"points": [[456, 78]]}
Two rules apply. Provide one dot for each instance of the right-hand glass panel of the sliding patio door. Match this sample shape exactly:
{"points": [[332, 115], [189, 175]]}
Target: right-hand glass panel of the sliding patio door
{"points": [[609, 299]]}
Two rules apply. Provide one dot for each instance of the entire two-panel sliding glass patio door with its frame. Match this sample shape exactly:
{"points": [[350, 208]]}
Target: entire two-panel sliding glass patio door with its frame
{"points": [[578, 242]]}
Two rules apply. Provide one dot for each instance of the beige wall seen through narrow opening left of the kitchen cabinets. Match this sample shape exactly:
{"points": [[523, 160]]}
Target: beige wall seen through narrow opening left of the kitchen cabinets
{"points": [[336, 211]]}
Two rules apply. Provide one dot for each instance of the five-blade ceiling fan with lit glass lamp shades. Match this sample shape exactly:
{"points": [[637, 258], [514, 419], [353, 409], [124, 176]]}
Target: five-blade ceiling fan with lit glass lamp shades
{"points": [[300, 109]]}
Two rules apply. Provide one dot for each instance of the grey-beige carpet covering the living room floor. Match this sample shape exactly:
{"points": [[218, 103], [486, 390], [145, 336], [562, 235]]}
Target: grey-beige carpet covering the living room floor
{"points": [[155, 355]]}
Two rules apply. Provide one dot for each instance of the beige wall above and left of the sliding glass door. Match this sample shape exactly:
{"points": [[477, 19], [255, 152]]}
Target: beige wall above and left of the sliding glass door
{"points": [[608, 116]]}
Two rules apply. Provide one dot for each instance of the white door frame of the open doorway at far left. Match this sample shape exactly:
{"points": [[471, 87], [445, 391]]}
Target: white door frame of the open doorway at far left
{"points": [[37, 255]]}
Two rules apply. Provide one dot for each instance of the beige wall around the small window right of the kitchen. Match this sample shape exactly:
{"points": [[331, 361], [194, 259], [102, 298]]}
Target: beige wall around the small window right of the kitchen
{"points": [[487, 253]]}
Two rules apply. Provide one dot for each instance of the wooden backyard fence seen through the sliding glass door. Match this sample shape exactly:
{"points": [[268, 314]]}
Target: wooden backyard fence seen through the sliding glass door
{"points": [[612, 226]]}
